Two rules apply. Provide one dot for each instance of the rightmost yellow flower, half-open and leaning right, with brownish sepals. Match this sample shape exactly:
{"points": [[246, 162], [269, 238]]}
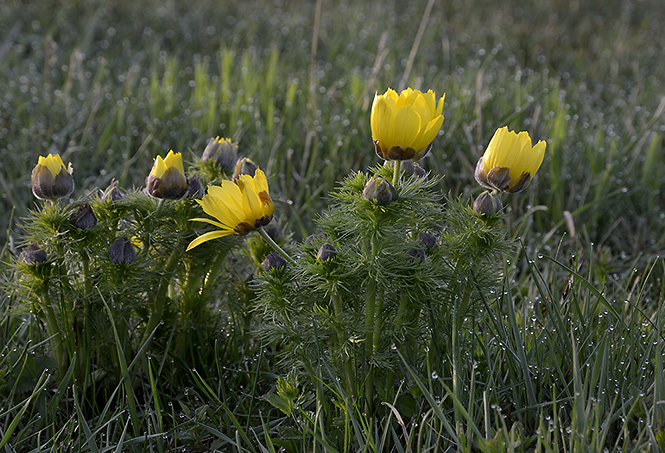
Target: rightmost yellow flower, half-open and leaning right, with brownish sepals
{"points": [[509, 161]]}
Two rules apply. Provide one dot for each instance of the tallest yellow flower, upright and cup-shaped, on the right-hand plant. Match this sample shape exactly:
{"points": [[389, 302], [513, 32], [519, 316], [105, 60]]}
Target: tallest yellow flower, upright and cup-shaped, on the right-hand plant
{"points": [[405, 125]]}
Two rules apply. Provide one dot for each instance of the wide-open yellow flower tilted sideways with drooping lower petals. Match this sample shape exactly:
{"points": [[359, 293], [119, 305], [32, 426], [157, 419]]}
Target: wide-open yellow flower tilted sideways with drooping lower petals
{"points": [[238, 207]]}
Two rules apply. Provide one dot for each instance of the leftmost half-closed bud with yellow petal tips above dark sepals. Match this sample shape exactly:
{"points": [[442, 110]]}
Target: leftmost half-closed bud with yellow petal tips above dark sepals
{"points": [[51, 179]]}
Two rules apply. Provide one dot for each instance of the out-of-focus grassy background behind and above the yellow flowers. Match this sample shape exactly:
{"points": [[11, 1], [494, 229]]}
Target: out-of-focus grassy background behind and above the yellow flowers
{"points": [[111, 84]]}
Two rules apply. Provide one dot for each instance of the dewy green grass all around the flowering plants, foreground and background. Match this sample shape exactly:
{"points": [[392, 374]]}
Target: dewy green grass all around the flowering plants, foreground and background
{"points": [[565, 356]]}
